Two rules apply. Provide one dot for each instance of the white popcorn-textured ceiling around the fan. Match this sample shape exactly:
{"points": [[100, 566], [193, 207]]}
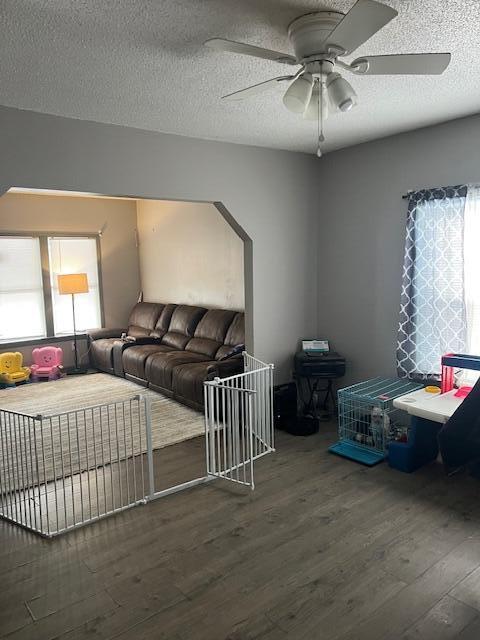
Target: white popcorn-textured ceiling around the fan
{"points": [[141, 63]]}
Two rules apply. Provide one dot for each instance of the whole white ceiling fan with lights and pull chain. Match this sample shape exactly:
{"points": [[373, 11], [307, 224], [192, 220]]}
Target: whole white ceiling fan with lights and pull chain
{"points": [[319, 40]]}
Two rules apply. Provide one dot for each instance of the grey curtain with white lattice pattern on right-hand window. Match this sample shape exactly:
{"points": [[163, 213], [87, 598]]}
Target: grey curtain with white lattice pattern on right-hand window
{"points": [[432, 308]]}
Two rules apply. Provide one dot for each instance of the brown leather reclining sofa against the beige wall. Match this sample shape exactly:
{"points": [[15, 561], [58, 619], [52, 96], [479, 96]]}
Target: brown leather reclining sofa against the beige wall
{"points": [[176, 348]]}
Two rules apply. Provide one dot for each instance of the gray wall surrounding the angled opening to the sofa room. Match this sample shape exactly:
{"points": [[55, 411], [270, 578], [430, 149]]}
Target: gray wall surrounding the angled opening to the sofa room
{"points": [[271, 194]]}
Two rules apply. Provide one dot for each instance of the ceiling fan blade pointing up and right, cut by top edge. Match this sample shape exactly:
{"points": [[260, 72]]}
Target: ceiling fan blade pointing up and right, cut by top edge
{"points": [[364, 19]]}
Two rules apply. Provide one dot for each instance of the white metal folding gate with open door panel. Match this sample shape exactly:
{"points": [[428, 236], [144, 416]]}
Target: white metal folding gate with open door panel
{"points": [[62, 471]]}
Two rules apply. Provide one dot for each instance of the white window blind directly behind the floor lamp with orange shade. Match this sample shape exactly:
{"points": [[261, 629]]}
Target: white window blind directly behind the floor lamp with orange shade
{"points": [[74, 255]]}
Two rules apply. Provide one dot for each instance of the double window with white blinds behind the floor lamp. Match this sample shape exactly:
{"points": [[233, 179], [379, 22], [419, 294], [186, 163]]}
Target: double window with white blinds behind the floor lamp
{"points": [[30, 304]]}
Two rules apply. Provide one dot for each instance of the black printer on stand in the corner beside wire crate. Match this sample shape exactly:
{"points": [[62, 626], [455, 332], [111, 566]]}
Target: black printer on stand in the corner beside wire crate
{"points": [[315, 373]]}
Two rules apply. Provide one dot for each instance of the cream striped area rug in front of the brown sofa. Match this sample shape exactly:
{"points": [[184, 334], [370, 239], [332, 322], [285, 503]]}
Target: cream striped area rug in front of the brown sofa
{"points": [[80, 435]]}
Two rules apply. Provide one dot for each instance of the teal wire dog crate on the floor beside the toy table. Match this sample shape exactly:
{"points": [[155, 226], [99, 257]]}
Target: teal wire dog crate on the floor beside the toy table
{"points": [[367, 419]]}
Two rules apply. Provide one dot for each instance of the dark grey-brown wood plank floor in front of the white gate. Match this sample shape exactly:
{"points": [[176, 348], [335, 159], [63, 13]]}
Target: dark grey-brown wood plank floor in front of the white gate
{"points": [[322, 549]]}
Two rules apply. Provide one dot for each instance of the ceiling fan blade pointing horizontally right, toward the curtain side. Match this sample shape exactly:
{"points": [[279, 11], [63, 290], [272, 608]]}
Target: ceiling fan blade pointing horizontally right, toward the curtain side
{"points": [[407, 64]]}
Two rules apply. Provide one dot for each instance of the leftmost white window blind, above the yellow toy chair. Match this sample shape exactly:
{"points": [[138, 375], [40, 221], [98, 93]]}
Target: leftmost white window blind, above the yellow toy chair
{"points": [[21, 291]]}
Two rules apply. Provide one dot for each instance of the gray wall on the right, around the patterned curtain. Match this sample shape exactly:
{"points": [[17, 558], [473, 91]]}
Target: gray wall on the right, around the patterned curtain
{"points": [[361, 233]]}
